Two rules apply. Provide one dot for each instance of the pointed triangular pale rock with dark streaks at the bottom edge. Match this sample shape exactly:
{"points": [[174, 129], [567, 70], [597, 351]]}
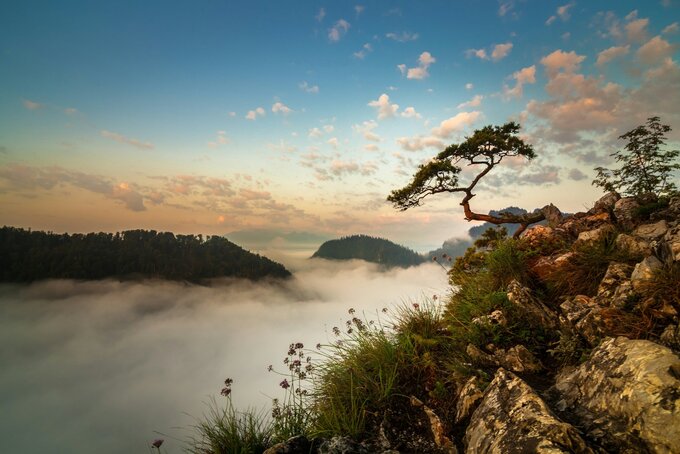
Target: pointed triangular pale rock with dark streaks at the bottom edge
{"points": [[512, 418]]}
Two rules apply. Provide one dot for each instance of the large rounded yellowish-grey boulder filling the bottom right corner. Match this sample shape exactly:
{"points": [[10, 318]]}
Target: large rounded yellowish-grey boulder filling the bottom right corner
{"points": [[627, 396]]}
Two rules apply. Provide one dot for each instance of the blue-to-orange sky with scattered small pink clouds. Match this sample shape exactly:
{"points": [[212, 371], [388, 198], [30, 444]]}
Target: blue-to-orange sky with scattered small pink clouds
{"points": [[297, 116]]}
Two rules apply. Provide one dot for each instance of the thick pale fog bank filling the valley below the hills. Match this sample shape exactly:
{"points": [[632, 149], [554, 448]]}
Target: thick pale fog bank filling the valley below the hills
{"points": [[99, 366]]}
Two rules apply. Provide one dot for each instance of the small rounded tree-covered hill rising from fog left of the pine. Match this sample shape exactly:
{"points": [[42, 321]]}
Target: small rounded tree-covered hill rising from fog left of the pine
{"points": [[364, 247]]}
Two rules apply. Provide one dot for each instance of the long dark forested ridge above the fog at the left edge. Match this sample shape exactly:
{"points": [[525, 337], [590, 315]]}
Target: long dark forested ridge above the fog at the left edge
{"points": [[33, 255]]}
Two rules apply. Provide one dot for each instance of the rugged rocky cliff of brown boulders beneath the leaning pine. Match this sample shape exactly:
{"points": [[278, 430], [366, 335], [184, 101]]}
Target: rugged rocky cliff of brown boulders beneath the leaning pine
{"points": [[598, 367]]}
